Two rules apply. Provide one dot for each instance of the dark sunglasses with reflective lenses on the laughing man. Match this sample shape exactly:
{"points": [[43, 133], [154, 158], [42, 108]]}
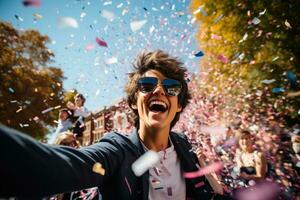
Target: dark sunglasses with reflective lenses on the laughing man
{"points": [[172, 87]]}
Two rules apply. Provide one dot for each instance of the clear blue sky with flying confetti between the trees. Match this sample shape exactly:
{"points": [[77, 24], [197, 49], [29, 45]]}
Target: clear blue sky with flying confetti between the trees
{"points": [[127, 27]]}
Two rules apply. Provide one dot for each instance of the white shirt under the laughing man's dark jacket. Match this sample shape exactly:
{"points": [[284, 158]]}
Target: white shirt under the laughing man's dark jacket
{"points": [[166, 178]]}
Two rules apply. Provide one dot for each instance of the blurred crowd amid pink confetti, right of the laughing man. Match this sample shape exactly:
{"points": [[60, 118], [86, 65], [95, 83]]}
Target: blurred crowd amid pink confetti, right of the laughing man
{"points": [[255, 148]]}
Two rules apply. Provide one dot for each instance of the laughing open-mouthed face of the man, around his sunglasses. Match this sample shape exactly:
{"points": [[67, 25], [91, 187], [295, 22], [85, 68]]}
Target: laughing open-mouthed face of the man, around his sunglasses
{"points": [[156, 109]]}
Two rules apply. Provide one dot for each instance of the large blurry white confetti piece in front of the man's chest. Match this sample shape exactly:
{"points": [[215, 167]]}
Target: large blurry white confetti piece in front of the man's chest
{"points": [[143, 163]]}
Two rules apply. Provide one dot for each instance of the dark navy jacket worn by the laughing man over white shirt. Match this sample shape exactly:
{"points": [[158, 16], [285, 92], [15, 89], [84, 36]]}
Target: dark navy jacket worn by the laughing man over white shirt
{"points": [[31, 169]]}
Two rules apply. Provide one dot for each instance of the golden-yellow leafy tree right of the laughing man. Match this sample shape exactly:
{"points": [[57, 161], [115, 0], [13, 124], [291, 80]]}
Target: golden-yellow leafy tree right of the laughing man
{"points": [[252, 56]]}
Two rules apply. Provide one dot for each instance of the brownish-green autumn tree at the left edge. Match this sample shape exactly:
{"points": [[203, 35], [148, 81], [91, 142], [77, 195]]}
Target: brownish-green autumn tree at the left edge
{"points": [[31, 91]]}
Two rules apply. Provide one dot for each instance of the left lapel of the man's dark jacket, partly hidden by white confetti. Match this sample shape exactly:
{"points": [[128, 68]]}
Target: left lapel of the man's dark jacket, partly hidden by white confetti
{"points": [[134, 137]]}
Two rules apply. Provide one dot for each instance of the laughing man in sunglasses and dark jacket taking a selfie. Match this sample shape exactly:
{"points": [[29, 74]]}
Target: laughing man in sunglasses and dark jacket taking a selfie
{"points": [[157, 93]]}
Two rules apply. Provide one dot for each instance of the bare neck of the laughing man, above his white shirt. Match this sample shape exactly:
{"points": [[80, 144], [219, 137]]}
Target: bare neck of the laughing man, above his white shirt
{"points": [[156, 140]]}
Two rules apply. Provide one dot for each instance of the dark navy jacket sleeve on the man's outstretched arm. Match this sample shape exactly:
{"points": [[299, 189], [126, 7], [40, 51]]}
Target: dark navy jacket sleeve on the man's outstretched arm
{"points": [[31, 169]]}
